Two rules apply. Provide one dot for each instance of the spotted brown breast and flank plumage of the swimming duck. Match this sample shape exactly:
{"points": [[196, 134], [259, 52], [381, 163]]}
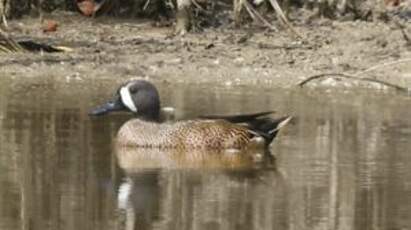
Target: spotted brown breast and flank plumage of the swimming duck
{"points": [[212, 134]]}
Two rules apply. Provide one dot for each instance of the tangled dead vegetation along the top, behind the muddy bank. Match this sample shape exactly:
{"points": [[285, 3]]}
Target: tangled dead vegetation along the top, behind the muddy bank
{"points": [[187, 12]]}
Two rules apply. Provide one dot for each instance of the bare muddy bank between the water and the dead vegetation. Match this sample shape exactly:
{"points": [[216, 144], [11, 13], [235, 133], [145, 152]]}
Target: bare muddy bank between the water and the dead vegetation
{"points": [[107, 48]]}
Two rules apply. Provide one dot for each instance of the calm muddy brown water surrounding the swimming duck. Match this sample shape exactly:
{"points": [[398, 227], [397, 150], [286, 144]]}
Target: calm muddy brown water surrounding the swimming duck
{"points": [[345, 162]]}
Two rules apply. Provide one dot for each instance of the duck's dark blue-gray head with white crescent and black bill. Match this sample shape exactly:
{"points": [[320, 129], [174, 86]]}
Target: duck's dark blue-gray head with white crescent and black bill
{"points": [[137, 96]]}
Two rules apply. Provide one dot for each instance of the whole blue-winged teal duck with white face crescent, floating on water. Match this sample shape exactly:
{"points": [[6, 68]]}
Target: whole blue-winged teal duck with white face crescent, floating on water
{"points": [[237, 132]]}
